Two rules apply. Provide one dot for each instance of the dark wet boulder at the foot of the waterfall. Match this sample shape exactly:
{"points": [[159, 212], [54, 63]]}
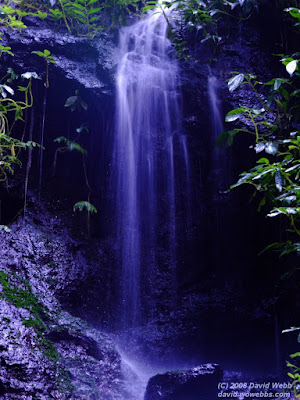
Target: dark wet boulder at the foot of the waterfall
{"points": [[193, 384]]}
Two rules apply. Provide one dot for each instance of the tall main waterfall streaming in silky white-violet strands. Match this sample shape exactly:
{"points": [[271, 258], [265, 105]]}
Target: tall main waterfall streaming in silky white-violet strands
{"points": [[147, 155]]}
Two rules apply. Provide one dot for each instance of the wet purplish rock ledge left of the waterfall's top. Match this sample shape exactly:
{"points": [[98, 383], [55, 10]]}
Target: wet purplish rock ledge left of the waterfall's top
{"points": [[88, 62]]}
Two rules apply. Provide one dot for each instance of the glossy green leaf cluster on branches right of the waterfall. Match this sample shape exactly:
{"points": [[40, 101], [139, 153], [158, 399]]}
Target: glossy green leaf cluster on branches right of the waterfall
{"points": [[276, 178]]}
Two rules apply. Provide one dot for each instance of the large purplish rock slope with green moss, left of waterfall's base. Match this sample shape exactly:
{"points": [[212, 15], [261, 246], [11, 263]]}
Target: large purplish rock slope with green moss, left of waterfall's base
{"points": [[45, 353]]}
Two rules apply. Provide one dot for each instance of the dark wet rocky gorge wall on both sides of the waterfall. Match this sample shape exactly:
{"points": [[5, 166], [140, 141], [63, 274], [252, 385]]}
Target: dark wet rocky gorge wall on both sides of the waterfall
{"points": [[225, 297]]}
